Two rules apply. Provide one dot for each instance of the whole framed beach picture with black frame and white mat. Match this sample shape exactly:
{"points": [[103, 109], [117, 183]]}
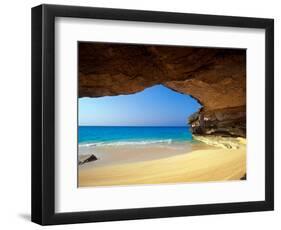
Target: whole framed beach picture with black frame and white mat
{"points": [[130, 103]]}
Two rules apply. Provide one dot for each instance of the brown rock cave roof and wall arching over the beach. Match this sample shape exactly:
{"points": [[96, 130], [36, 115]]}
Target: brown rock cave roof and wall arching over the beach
{"points": [[215, 77]]}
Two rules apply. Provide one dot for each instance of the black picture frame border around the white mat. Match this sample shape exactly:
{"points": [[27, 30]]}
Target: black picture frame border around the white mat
{"points": [[43, 110]]}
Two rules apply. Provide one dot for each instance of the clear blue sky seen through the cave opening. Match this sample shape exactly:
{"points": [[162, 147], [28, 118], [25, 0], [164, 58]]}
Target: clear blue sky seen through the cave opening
{"points": [[155, 106]]}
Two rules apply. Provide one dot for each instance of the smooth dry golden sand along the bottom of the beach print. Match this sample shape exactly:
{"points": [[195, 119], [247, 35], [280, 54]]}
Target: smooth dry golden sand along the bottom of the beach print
{"points": [[197, 166]]}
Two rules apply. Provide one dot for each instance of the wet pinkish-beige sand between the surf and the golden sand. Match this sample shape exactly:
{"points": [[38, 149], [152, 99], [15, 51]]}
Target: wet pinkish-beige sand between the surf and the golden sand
{"points": [[116, 154]]}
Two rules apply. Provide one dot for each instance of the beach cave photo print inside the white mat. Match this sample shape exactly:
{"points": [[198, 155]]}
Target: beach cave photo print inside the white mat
{"points": [[153, 114]]}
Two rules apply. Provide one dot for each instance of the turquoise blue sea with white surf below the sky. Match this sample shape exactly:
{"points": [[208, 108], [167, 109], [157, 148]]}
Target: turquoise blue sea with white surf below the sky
{"points": [[128, 135]]}
